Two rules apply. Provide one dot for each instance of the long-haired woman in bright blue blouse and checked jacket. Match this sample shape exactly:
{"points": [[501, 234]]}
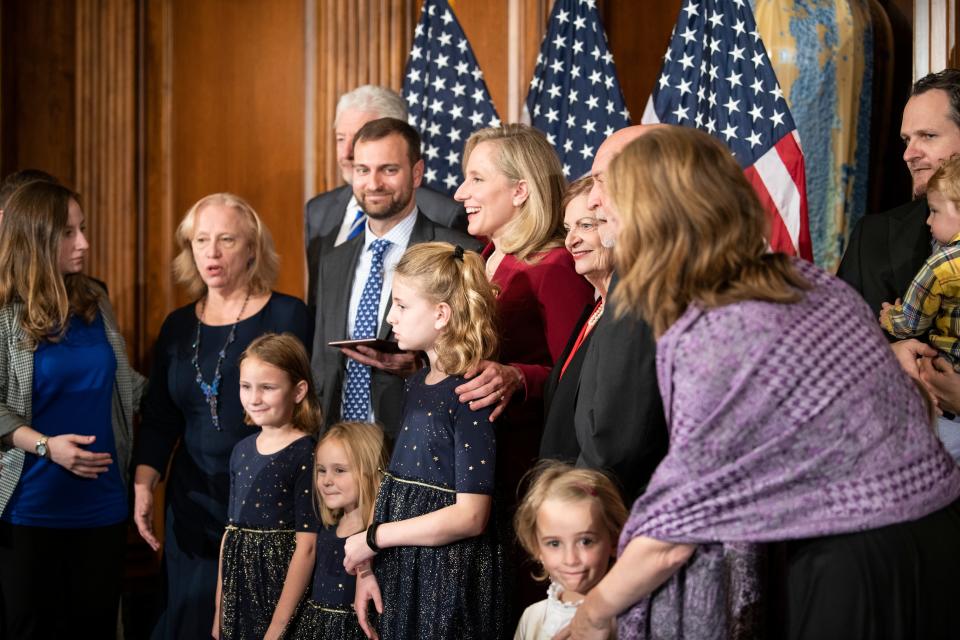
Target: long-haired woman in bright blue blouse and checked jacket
{"points": [[67, 396]]}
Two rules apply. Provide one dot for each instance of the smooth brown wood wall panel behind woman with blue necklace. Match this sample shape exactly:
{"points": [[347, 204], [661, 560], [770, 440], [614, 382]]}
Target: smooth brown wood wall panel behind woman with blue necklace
{"points": [[224, 111]]}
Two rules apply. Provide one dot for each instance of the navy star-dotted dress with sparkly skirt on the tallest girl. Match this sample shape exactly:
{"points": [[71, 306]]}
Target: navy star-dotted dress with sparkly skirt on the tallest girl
{"points": [[457, 590]]}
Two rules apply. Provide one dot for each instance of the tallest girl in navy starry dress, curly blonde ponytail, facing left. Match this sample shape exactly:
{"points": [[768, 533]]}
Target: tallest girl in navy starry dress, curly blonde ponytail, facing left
{"points": [[436, 557]]}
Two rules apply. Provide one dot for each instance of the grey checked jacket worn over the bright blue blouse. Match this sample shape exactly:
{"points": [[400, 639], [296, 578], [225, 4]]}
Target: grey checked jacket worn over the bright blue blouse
{"points": [[16, 388]]}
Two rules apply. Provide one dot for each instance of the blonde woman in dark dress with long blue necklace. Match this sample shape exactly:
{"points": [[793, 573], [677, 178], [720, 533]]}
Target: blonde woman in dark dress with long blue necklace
{"points": [[227, 260]]}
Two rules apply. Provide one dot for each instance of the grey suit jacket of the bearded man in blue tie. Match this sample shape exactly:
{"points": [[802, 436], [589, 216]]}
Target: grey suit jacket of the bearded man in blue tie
{"points": [[334, 283]]}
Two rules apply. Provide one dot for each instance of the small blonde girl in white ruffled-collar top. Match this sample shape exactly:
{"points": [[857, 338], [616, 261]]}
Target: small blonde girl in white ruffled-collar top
{"points": [[568, 521]]}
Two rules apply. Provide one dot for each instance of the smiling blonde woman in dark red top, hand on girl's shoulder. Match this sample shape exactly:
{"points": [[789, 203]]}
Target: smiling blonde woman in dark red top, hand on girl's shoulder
{"points": [[512, 192]]}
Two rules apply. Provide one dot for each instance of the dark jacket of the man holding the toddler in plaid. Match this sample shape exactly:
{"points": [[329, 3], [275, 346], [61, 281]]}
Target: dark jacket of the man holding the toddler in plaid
{"points": [[885, 252]]}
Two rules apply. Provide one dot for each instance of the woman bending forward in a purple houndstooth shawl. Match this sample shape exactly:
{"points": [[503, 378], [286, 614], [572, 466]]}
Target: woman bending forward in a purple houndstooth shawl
{"points": [[790, 421]]}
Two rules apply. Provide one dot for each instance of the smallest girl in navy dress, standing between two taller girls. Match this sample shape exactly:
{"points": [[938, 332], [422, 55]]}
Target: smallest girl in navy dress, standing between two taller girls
{"points": [[349, 464]]}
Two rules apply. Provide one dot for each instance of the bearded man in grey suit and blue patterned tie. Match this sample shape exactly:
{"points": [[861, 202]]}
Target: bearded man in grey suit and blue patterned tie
{"points": [[354, 279]]}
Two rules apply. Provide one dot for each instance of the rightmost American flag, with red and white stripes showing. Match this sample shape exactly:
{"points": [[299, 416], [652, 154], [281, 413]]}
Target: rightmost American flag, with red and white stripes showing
{"points": [[717, 77]]}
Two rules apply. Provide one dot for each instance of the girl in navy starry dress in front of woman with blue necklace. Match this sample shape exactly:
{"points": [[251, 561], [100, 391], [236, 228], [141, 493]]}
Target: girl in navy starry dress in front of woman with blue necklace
{"points": [[267, 552]]}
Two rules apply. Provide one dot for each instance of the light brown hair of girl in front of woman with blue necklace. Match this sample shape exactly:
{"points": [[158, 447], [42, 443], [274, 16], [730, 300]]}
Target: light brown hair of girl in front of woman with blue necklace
{"points": [[287, 353]]}
